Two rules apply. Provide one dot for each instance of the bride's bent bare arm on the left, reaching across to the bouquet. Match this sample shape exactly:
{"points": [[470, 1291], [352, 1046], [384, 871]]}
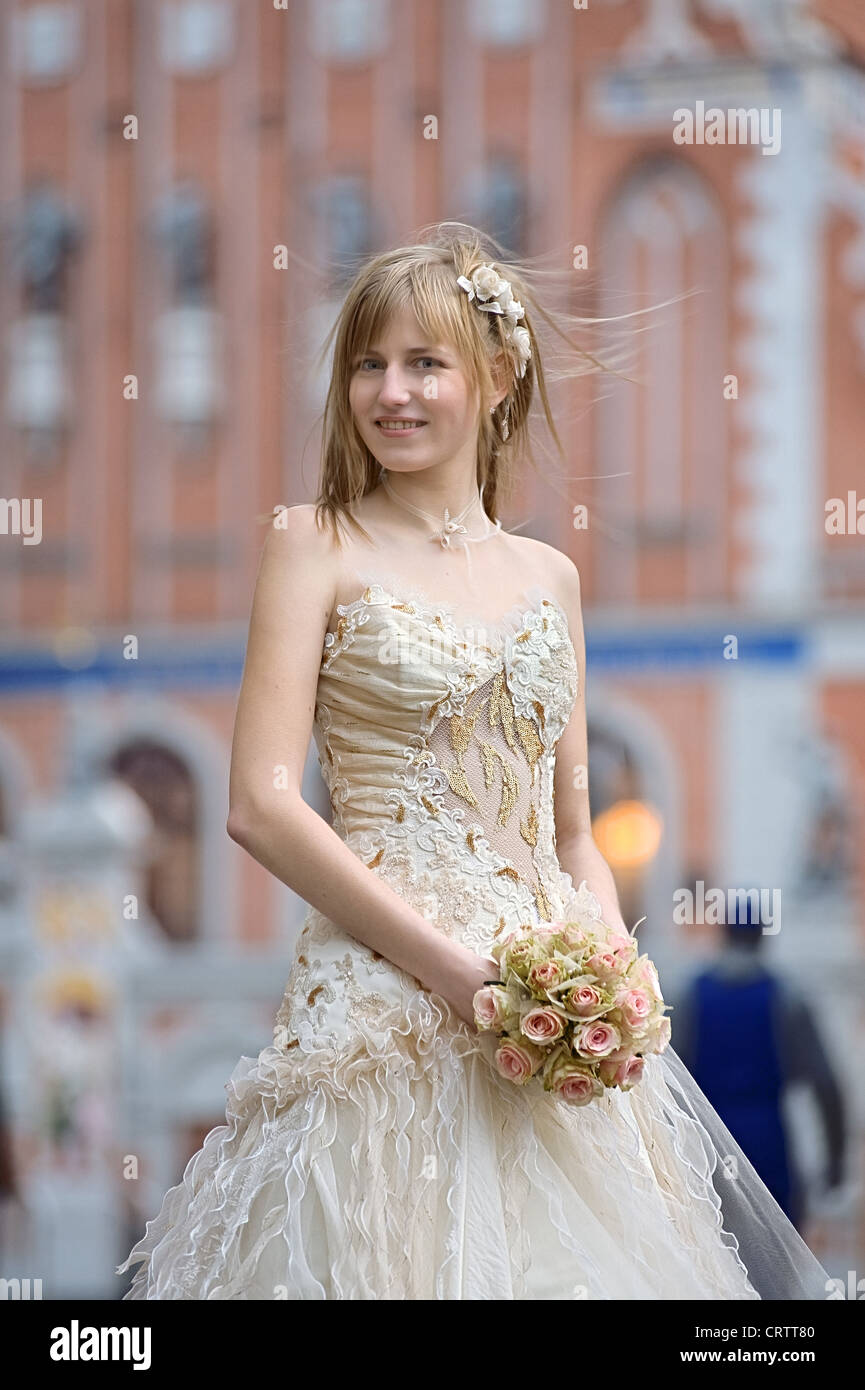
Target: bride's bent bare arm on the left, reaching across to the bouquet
{"points": [[273, 728]]}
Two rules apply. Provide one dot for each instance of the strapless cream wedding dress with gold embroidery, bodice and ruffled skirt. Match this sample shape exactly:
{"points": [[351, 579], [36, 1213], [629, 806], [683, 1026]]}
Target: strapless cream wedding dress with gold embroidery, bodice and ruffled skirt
{"points": [[373, 1152]]}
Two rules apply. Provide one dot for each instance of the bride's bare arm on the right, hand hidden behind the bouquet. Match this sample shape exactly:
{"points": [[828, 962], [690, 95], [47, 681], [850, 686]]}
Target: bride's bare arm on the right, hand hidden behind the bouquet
{"points": [[576, 849]]}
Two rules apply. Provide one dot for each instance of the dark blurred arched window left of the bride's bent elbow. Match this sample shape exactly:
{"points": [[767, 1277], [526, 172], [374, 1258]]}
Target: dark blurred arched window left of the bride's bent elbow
{"points": [[165, 783]]}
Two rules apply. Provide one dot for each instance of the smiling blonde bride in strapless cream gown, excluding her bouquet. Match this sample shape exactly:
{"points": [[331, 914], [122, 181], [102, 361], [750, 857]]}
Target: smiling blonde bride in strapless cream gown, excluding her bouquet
{"points": [[375, 1152]]}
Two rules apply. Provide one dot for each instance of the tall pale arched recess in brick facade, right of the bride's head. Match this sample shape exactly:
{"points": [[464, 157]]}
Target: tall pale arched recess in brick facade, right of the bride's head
{"points": [[663, 457]]}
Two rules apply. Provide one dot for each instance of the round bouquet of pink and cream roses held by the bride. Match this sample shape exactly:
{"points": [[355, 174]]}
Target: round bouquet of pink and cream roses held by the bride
{"points": [[576, 1004]]}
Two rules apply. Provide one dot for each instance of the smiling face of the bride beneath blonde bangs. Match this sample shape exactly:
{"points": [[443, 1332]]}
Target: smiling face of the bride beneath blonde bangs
{"points": [[405, 379]]}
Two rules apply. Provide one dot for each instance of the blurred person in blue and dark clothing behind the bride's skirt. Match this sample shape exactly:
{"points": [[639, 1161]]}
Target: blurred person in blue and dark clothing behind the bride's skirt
{"points": [[745, 1070]]}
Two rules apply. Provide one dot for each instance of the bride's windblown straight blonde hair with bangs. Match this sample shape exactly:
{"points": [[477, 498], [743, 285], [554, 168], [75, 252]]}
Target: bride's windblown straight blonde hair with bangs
{"points": [[423, 279]]}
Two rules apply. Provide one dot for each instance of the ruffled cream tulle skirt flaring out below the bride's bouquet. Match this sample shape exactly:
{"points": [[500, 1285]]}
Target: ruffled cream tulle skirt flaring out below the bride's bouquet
{"points": [[401, 1166]]}
